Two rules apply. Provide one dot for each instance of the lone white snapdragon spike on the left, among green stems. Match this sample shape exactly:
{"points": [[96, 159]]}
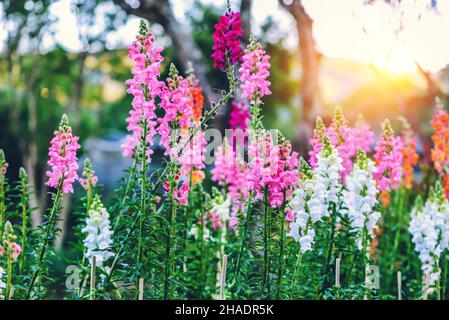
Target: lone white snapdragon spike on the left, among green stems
{"points": [[98, 240]]}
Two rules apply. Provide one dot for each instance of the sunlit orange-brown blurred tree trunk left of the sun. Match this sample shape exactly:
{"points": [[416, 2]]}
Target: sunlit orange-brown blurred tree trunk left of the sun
{"points": [[310, 63]]}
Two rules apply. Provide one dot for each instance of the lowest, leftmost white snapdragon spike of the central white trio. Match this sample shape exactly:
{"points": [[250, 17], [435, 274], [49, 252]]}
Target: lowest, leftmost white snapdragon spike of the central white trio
{"points": [[309, 207]]}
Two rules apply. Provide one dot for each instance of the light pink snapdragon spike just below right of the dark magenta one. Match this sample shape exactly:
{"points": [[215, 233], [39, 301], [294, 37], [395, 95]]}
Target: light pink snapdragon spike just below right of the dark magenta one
{"points": [[254, 72]]}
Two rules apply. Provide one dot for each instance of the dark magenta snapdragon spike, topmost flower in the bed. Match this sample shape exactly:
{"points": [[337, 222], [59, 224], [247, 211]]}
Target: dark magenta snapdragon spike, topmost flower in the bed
{"points": [[226, 48]]}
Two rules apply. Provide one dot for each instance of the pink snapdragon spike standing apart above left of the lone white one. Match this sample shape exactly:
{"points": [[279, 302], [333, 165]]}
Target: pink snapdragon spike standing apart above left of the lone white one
{"points": [[63, 160]]}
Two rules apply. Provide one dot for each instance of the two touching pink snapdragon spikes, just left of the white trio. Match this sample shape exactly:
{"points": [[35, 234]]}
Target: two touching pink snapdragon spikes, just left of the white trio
{"points": [[273, 168]]}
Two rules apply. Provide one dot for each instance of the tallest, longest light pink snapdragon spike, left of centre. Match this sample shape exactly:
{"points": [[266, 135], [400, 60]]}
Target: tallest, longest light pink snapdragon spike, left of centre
{"points": [[144, 86]]}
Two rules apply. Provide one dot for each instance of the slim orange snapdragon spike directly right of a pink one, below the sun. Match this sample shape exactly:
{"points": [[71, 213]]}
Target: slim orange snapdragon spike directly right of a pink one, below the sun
{"points": [[409, 154]]}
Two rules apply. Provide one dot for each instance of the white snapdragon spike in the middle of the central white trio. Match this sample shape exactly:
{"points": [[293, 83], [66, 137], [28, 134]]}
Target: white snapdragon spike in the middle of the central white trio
{"points": [[328, 169]]}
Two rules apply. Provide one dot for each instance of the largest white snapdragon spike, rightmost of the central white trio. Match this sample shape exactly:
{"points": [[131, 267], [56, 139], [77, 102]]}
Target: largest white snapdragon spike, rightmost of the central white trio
{"points": [[360, 197]]}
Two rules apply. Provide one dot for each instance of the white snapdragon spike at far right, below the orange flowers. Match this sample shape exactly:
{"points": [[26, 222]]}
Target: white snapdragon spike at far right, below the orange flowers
{"points": [[425, 238]]}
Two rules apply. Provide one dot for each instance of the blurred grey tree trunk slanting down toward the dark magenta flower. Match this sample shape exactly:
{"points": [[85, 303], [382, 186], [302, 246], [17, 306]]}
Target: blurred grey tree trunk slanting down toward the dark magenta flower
{"points": [[161, 12]]}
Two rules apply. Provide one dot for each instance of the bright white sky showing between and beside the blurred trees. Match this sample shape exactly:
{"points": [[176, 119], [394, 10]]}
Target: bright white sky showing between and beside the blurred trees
{"points": [[344, 29]]}
